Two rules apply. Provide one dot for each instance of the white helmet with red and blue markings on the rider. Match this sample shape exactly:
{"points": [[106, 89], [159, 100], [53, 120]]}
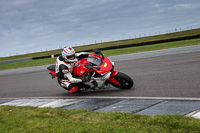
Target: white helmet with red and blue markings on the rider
{"points": [[68, 54]]}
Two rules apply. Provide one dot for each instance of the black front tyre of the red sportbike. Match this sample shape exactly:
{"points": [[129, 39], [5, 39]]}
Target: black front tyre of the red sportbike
{"points": [[125, 81]]}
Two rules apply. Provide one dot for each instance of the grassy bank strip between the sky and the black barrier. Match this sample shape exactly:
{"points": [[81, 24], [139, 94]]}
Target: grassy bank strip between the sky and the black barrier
{"points": [[108, 44]]}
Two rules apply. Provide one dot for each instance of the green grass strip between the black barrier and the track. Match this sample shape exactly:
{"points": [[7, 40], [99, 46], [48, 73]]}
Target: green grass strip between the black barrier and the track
{"points": [[106, 53]]}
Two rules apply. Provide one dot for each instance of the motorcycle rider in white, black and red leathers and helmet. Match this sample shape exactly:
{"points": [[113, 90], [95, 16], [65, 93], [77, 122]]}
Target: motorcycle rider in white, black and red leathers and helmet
{"points": [[64, 69]]}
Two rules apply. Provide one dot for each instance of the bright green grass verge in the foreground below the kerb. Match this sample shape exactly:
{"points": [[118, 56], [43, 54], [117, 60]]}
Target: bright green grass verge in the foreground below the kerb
{"points": [[32, 119]]}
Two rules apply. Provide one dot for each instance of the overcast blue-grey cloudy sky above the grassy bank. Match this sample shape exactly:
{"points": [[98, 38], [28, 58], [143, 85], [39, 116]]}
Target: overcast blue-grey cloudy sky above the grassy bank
{"points": [[35, 25]]}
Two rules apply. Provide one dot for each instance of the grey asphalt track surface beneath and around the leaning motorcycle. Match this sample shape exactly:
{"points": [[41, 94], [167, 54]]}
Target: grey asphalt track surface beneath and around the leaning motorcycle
{"points": [[168, 75]]}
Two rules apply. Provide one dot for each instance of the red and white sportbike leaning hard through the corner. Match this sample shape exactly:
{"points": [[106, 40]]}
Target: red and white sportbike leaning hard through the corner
{"points": [[101, 70]]}
